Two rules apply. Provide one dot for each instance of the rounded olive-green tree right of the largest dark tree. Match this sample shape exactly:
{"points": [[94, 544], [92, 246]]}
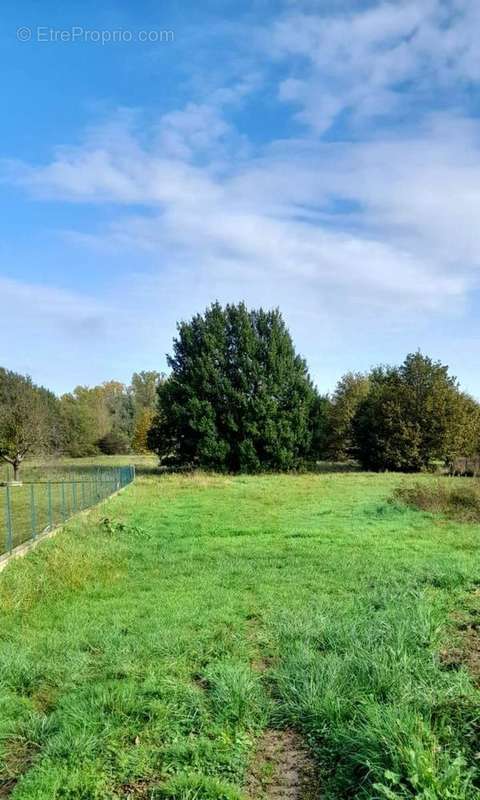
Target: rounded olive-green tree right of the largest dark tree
{"points": [[408, 418]]}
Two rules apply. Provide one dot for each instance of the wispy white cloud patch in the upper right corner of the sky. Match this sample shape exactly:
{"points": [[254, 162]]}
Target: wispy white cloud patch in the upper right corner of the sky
{"points": [[371, 62]]}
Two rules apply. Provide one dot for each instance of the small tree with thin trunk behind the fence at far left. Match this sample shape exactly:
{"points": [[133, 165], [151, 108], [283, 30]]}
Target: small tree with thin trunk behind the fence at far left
{"points": [[23, 419]]}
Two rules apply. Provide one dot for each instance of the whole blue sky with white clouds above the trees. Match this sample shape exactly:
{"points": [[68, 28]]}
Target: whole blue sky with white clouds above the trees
{"points": [[319, 156]]}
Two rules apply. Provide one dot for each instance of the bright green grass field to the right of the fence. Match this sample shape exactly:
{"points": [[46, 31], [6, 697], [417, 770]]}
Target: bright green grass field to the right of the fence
{"points": [[147, 648]]}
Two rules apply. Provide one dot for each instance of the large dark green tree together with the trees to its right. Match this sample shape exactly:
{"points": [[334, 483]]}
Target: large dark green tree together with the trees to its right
{"points": [[239, 398]]}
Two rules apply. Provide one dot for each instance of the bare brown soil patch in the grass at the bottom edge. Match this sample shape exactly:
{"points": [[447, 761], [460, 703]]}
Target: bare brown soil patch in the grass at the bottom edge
{"points": [[282, 769]]}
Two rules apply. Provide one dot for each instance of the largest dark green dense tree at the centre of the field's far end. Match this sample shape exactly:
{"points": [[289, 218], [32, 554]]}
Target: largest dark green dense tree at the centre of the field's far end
{"points": [[239, 398]]}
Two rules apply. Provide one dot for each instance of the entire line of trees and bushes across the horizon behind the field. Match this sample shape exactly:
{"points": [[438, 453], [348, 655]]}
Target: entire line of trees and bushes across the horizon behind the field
{"points": [[239, 398]]}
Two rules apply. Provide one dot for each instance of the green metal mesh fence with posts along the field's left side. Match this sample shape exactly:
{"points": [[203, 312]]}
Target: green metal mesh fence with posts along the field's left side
{"points": [[36, 507]]}
